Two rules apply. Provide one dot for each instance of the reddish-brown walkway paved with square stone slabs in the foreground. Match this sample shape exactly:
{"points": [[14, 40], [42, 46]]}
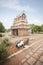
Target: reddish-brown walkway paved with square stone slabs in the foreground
{"points": [[30, 56]]}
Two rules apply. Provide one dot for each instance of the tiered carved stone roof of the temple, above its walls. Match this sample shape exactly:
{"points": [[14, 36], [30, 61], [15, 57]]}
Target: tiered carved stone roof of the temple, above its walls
{"points": [[20, 22]]}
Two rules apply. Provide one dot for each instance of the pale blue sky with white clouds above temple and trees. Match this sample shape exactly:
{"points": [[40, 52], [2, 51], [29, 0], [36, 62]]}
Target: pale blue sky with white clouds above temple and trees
{"points": [[9, 9]]}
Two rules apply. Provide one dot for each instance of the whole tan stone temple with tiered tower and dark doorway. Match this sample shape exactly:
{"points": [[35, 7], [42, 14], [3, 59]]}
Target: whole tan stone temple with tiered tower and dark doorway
{"points": [[20, 26]]}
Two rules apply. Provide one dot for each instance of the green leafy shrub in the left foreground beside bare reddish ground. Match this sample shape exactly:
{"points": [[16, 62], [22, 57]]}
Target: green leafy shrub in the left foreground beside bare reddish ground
{"points": [[3, 49]]}
